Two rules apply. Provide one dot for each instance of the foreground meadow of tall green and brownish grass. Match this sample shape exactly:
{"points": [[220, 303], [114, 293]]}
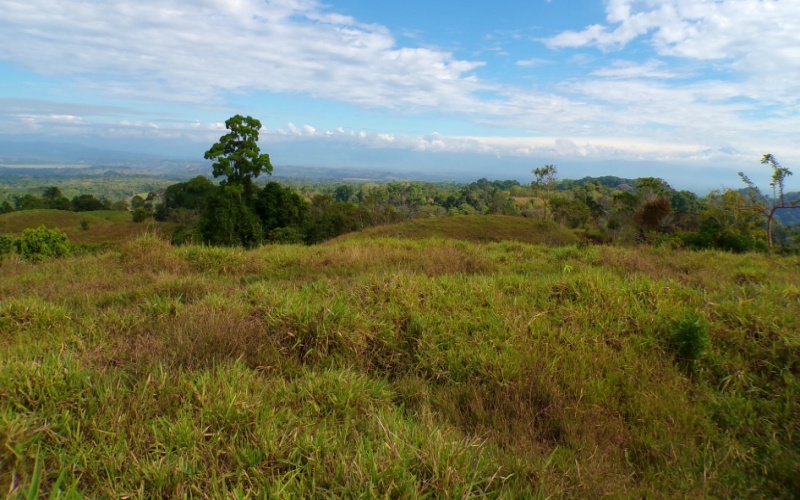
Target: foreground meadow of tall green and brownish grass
{"points": [[391, 367]]}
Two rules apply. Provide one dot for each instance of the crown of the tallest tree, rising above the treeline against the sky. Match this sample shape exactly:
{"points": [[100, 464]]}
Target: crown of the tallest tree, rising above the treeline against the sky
{"points": [[237, 154]]}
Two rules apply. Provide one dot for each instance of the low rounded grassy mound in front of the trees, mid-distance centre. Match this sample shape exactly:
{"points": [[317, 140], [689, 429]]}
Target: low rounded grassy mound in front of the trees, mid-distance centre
{"points": [[475, 228]]}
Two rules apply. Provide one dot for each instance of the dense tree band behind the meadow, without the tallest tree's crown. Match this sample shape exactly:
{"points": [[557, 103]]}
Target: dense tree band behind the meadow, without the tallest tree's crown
{"points": [[645, 210]]}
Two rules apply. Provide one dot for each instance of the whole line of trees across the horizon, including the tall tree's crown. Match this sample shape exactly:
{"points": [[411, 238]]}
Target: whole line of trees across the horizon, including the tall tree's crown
{"points": [[238, 211]]}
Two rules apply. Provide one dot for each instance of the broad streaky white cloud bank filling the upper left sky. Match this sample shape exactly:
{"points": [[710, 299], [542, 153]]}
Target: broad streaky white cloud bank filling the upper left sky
{"points": [[197, 51]]}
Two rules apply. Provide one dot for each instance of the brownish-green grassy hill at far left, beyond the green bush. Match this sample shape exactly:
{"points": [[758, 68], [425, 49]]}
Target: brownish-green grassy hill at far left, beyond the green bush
{"points": [[104, 226]]}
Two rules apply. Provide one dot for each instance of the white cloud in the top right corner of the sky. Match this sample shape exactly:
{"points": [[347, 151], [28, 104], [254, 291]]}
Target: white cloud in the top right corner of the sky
{"points": [[759, 39]]}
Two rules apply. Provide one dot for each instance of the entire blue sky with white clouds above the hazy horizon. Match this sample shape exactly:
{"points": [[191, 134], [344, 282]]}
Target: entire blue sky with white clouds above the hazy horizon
{"points": [[692, 91]]}
